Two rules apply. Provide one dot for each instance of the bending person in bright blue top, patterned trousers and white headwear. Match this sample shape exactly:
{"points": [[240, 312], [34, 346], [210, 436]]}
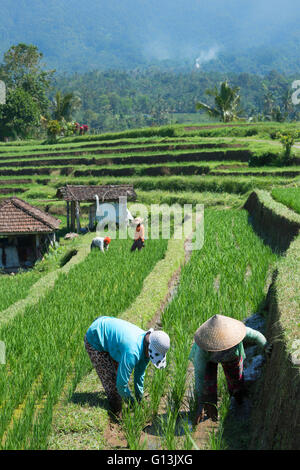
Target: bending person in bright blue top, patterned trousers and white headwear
{"points": [[116, 347]]}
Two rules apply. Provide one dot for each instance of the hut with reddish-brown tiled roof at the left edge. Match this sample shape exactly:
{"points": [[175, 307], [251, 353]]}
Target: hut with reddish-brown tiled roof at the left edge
{"points": [[25, 233]]}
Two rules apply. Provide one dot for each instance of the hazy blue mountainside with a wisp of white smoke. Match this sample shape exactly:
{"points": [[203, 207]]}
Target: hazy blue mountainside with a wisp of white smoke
{"points": [[236, 36]]}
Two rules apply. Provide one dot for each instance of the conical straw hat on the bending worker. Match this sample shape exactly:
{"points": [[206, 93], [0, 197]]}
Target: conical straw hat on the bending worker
{"points": [[220, 333]]}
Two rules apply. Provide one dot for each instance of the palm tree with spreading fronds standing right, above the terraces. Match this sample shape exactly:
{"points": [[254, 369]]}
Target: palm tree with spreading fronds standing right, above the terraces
{"points": [[227, 102]]}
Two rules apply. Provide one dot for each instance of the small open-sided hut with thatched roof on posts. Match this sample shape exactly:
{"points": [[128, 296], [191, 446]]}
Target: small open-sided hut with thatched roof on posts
{"points": [[74, 195]]}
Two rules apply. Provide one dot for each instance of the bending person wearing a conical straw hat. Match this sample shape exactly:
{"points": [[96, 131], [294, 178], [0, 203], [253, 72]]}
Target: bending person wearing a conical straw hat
{"points": [[220, 340]]}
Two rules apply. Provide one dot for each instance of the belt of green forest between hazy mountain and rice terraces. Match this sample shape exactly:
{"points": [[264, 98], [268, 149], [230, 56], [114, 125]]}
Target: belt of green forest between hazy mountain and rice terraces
{"points": [[116, 100]]}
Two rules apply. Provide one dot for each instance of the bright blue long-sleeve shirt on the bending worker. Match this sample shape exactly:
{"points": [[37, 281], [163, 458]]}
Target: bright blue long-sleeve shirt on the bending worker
{"points": [[125, 344]]}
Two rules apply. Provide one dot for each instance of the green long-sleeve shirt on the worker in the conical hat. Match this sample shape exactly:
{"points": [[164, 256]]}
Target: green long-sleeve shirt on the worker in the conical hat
{"points": [[200, 357]]}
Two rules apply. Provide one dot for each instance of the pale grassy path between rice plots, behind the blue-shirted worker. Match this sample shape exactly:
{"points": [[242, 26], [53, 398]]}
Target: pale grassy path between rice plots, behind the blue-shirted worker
{"points": [[74, 430]]}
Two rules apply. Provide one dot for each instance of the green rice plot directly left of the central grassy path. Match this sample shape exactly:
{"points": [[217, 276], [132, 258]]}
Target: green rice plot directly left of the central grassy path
{"points": [[56, 326]]}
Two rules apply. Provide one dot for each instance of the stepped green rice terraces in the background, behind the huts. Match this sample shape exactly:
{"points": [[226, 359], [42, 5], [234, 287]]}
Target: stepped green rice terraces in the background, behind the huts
{"points": [[183, 162]]}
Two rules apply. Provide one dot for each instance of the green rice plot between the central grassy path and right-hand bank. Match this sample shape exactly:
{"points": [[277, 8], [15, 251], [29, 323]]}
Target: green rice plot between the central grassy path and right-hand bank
{"points": [[239, 292]]}
